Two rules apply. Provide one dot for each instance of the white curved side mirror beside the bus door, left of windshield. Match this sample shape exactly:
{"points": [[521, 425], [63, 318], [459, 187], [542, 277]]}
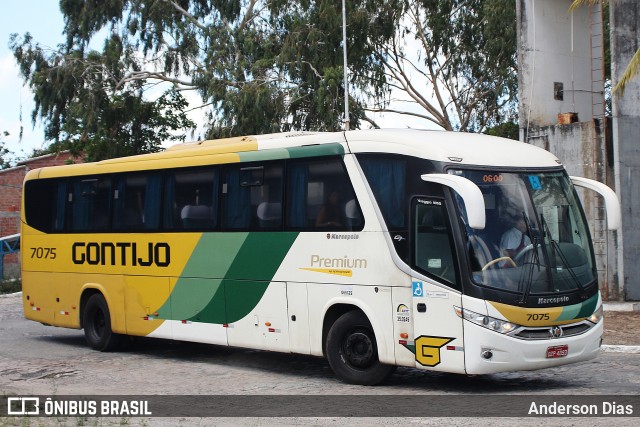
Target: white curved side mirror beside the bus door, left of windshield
{"points": [[470, 193]]}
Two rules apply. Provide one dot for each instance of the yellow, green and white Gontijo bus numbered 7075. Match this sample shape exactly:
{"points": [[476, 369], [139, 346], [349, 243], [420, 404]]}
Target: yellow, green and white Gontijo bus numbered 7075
{"points": [[435, 250]]}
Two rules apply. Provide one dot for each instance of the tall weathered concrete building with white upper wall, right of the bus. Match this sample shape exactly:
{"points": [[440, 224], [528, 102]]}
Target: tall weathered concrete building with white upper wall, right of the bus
{"points": [[562, 109]]}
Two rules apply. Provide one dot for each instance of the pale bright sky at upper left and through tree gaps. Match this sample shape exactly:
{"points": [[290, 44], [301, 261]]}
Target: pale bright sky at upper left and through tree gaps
{"points": [[43, 19]]}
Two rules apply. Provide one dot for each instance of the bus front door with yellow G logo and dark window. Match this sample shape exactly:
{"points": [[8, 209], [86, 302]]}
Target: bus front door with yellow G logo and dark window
{"points": [[437, 329]]}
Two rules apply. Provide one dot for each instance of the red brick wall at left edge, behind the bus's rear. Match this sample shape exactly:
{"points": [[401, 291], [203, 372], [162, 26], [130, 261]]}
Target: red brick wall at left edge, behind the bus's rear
{"points": [[10, 200]]}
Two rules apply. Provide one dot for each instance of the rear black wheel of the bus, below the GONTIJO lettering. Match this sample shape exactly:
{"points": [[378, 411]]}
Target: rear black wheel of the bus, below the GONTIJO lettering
{"points": [[97, 325]]}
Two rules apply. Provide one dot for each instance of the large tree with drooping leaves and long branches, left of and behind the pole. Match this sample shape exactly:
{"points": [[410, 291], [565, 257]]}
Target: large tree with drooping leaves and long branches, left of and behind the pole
{"points": [[258, 65]]}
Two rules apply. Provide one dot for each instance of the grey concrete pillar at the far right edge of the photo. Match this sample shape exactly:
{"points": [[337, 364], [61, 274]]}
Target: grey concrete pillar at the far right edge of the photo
{"points": [[625, 40]]}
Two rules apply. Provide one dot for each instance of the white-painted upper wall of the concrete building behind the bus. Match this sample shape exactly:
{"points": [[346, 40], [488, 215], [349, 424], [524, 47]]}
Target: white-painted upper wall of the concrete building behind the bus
{"points": [[554, 46]]}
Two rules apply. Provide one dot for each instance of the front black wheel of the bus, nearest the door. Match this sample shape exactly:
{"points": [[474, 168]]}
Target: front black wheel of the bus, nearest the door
{"points": [[352, 351]]}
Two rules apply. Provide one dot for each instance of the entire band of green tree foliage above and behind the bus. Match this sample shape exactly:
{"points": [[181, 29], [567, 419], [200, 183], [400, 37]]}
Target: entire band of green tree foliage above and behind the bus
{"points": [[259, 66]]}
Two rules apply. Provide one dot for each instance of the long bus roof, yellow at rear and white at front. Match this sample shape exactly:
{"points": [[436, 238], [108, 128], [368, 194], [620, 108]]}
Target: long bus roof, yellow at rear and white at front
{"points": [[456, 147]]}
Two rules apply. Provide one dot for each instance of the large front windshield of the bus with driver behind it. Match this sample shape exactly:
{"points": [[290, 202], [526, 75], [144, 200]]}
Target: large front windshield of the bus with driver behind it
{"points": [[536, 241]]}
